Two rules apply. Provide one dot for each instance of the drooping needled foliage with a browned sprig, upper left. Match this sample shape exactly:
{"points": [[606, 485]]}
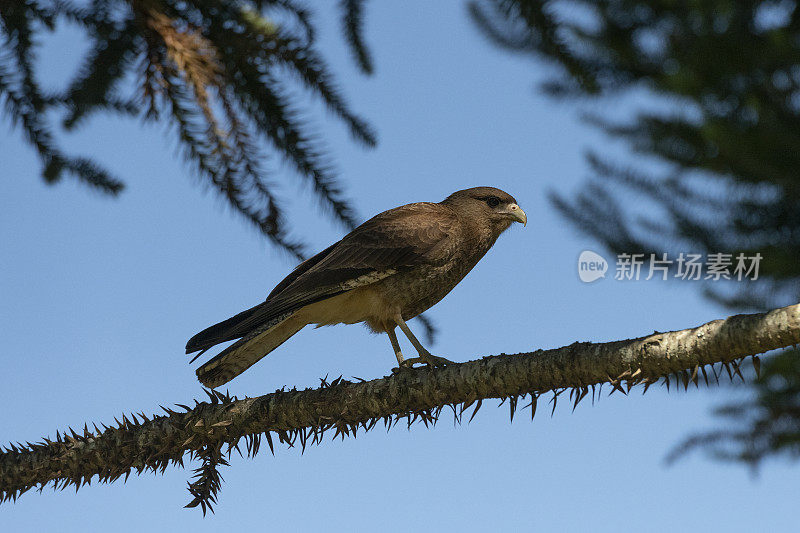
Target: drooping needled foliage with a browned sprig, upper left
{"points": [[217, 71]]}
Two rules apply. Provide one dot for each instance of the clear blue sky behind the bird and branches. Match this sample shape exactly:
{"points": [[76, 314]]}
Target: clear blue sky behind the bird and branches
{"points": [[100, 295]]}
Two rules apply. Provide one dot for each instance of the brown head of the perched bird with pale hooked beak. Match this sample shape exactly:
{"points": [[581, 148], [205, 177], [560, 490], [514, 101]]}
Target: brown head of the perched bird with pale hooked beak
{"points": [[496, 207]]}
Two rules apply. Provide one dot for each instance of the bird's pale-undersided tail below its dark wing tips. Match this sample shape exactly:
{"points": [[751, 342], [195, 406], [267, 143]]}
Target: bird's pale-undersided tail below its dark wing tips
{"points": [[247, 351]]}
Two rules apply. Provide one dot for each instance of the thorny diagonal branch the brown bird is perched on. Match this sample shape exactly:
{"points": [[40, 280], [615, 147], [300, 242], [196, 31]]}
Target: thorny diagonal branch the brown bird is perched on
{"points": [[212, 430]]}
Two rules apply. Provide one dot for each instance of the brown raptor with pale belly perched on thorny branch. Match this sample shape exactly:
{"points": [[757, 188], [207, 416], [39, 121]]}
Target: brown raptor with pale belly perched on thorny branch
{"points": [[383, 273]]}
